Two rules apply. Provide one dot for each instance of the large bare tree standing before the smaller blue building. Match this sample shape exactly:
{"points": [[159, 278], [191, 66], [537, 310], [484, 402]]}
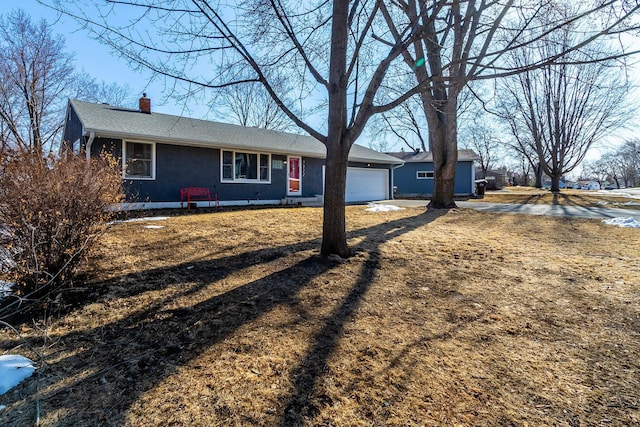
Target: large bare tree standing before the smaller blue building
{"points": [[467, 40]]}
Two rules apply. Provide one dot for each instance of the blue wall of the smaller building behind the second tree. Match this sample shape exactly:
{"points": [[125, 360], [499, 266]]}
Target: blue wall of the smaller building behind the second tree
{"points": [[406, 183]]}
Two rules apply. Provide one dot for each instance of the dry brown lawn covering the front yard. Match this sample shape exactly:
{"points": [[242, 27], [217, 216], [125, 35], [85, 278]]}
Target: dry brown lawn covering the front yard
{"points": [[455, 318]]}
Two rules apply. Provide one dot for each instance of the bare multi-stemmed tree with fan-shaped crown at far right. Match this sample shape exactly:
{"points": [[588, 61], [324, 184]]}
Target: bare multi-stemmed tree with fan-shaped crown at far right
{"points": [[557, 112]]}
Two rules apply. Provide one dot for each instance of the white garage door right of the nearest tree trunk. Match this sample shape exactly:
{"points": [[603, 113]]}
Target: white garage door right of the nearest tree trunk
{"points": [[365, 185]]}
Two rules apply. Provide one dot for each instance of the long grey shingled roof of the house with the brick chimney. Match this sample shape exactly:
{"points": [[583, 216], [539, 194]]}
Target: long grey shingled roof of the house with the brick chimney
{"points": [[117, 122]]}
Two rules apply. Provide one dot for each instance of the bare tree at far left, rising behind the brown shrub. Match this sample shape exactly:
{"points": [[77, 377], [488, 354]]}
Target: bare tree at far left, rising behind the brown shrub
{"points": [[35, 73]]}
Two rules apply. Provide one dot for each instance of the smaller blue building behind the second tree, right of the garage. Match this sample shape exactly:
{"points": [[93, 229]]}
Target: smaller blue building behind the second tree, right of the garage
{"points": [[416, 177]]}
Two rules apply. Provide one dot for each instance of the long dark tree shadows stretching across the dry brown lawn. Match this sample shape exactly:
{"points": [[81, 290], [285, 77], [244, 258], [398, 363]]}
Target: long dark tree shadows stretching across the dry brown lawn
{"points": [[137, 343]]}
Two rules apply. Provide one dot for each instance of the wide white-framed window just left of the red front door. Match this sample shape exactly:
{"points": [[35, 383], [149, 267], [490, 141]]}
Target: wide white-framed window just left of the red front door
{"points": [[245, 167]]}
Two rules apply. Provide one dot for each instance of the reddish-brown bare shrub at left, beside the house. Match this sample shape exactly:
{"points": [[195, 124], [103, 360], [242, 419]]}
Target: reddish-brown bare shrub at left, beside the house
{"points": [[51, 210]]}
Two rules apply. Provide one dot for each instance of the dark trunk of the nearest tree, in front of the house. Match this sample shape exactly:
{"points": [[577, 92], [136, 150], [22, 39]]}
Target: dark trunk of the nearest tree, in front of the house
{"points": [[334, 236]]}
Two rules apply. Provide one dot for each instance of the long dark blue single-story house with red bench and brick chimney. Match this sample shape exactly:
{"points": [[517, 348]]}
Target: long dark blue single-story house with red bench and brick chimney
{"points": [[161, 153]]}
